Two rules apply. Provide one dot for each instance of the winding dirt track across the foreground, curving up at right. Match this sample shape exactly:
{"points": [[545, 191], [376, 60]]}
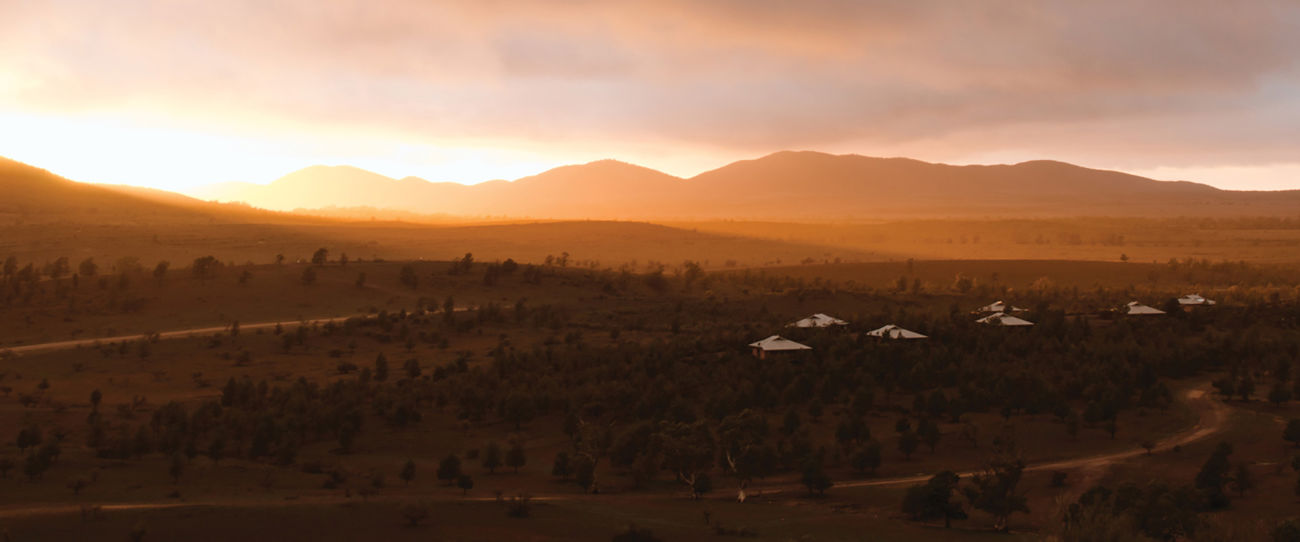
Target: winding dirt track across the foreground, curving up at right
{"points": [[1212, 419]]}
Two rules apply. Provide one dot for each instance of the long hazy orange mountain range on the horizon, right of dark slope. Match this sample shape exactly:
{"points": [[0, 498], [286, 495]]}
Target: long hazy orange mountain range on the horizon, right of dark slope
{"points": [[782, 187]]}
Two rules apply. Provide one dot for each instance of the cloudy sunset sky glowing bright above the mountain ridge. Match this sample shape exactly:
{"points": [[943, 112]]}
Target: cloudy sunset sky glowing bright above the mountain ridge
{"points": [[176, 94]]}
